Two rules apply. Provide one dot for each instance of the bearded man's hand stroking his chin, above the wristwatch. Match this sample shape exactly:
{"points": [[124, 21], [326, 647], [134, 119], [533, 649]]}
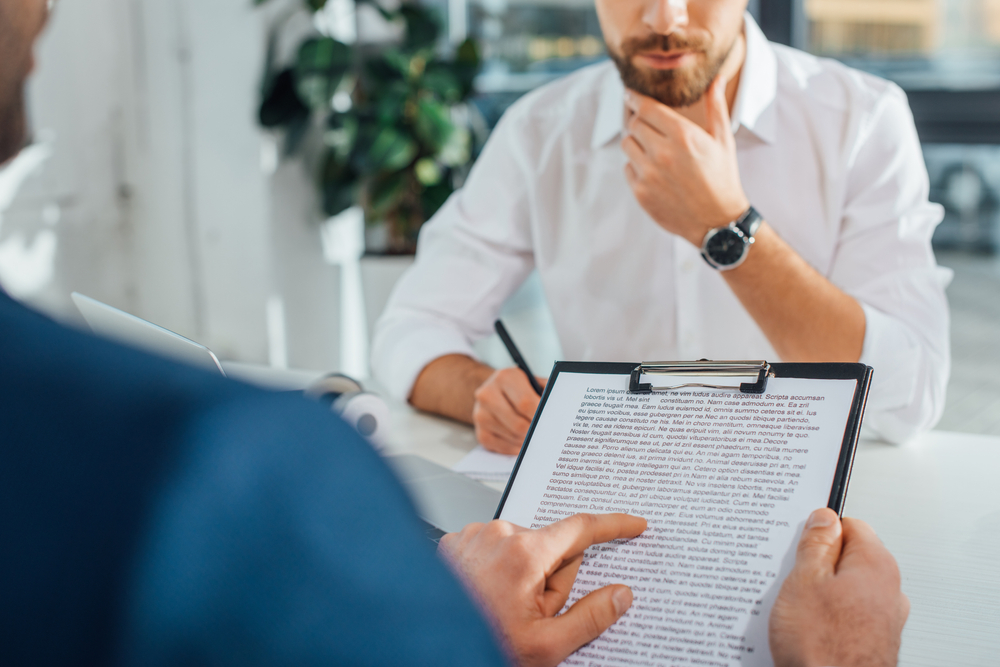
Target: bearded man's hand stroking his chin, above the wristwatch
{"points": [[687, 178]]}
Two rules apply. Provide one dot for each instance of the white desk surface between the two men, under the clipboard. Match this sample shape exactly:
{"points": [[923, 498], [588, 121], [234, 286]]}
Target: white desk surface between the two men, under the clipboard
{"points": [[935, 503]]}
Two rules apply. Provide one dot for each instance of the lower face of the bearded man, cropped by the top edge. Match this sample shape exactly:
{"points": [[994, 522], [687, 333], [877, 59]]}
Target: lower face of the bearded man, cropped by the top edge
{"points": [[670, 50]]}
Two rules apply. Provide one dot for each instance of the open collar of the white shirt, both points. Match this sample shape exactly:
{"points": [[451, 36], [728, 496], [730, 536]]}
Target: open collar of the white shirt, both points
{"points": [[754, 108]]}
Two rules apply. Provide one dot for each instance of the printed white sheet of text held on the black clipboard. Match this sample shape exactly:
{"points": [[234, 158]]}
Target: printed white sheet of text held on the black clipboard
{"points": [[726, 481]]}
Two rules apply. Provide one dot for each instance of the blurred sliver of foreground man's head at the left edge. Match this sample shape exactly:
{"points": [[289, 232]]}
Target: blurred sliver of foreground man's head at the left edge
{"points": [[21, 21]]}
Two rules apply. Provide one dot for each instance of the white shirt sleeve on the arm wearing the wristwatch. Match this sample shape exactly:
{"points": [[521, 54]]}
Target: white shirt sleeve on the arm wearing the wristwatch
{"points": [[885, 261]]}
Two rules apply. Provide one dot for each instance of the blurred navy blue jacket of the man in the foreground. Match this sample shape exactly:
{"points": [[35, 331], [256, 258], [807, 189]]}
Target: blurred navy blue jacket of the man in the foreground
{"points": [[152, 514]]}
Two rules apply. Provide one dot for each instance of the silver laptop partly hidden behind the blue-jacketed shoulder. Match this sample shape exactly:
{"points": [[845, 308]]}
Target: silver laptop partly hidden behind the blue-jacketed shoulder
{"points": [[446, 501]]}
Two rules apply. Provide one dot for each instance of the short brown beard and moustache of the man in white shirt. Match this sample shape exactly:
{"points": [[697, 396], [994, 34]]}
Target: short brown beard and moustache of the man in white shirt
{"points": [[675, 88]]}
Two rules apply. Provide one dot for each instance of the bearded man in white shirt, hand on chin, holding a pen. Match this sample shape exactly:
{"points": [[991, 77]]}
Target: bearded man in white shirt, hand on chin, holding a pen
{"points": [[707, 194]]}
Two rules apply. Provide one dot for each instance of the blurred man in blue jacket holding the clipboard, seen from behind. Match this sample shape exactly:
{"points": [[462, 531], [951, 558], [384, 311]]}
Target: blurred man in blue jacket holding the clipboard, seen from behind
{"points": [[156, 515]]}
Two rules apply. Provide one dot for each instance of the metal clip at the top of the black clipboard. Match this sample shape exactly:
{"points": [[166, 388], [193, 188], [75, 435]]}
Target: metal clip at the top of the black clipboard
{"points": [[703, 368]]}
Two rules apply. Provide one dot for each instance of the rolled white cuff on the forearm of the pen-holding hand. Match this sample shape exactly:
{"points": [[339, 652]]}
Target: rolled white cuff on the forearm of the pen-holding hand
{"points": [[400, 352]]}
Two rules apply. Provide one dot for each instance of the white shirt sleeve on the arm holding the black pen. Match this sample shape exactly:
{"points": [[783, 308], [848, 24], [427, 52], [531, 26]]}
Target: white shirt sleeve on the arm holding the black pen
{"points": [[471, 257]]}
